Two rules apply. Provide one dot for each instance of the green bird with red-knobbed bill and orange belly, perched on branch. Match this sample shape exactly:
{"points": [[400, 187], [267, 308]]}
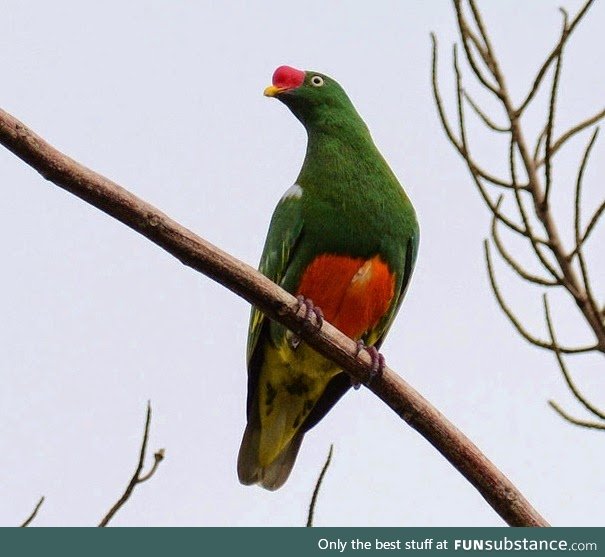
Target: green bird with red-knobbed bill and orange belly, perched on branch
{"points": [[343, 238]]}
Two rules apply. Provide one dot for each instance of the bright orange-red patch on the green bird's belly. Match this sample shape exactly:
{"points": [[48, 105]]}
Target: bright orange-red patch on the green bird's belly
{"points": [[353, 293]]}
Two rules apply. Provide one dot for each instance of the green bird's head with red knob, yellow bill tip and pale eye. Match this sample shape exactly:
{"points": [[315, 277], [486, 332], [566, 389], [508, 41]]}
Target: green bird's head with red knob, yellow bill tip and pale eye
{"points": [[314, 98]]}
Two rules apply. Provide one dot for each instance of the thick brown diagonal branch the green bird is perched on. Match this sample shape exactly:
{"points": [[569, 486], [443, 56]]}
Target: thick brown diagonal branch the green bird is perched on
{"points": [[279, 305]]}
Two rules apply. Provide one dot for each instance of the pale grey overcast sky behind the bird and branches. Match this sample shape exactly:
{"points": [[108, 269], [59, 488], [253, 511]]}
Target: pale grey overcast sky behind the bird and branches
{"points": [[166, 99]]}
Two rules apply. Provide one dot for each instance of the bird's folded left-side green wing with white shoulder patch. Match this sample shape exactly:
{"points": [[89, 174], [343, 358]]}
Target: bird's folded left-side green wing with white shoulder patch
{"points": [[284, 232]]}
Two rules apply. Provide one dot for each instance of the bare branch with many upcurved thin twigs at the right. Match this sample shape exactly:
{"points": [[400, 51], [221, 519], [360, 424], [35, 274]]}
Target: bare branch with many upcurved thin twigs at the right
{"points": [[529, 182]]}
